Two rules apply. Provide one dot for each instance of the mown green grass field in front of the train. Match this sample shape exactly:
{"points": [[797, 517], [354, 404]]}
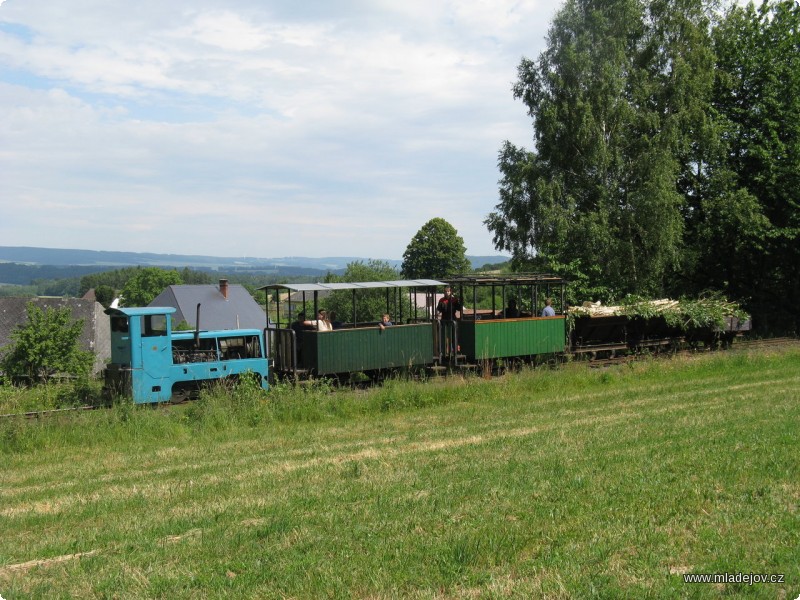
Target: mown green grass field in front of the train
{"points": [[574, 483]]}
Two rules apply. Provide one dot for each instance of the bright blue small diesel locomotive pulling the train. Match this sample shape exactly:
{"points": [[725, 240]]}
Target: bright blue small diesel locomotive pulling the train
{"points": [[151, 363]]}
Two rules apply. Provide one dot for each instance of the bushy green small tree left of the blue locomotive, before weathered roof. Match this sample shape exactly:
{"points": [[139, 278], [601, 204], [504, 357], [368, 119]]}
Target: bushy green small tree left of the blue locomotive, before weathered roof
{"points": [[45, 345]]}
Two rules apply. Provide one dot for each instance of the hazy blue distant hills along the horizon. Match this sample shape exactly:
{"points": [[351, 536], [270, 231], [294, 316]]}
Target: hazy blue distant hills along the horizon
{"points": [[22, 264]]}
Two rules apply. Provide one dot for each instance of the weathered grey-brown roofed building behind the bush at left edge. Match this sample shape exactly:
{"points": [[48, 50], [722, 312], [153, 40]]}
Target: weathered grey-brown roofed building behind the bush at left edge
{"points": [[96, 336]]}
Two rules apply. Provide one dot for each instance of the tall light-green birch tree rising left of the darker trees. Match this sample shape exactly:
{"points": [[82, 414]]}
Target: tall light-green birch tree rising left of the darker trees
{"points": [[617, 100]]}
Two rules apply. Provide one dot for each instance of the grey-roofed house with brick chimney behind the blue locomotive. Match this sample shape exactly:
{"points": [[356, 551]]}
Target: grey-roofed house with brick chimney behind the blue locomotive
{"points": [[222, 306]]}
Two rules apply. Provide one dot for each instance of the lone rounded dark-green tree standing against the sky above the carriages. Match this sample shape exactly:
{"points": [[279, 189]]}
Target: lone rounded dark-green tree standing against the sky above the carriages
{"points": [[435, 252]]}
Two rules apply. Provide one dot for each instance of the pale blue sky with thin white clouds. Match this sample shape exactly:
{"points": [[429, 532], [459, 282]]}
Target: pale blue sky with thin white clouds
{"points": [[258, 128]]}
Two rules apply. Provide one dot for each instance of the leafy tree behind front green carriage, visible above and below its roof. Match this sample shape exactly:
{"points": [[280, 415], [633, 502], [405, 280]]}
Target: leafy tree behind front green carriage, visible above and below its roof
{"points": [[370, 304]]}
